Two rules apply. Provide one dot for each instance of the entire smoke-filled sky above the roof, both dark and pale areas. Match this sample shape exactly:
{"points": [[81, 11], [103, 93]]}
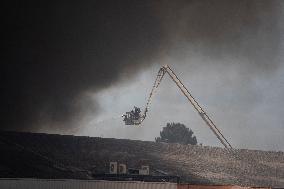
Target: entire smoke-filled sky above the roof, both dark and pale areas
{"points": [[76, 68]]}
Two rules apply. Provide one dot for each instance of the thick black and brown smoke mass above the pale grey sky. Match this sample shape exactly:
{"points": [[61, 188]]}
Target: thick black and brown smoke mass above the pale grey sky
{"points": [[56, 53]]}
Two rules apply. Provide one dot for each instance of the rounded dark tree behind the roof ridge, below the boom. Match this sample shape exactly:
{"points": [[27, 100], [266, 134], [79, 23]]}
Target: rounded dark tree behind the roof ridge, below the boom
{"points": [[177, 133]]}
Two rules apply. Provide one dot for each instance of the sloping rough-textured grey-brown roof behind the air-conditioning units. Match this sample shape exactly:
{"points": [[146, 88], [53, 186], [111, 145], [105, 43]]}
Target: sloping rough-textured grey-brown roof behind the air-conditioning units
{"points": [[30, 155]]}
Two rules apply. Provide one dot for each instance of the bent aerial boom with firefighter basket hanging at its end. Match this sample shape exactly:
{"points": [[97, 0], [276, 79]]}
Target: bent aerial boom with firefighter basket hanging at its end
{"points": [[135, 118]]}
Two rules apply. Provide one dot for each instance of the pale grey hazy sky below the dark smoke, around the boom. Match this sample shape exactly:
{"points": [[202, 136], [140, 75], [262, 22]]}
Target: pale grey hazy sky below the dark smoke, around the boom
{"points": [[246, 108]]}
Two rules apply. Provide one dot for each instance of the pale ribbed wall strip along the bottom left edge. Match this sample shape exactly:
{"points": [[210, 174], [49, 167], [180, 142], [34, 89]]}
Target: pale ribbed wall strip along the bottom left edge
{"points": [[80, 184]]}
